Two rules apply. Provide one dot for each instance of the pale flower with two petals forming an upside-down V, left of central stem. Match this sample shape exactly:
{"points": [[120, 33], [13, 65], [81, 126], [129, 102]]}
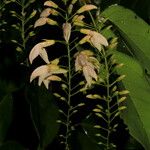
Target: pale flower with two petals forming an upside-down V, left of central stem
{"points": [[39, 49]]}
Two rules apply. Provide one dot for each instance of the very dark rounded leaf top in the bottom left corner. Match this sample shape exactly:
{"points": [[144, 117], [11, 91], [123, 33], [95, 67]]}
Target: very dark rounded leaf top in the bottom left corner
{"points": [[11, 146]]}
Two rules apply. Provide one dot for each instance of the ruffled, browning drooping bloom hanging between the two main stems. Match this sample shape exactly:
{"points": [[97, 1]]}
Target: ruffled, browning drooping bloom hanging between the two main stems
{"points": [[88, 64]]}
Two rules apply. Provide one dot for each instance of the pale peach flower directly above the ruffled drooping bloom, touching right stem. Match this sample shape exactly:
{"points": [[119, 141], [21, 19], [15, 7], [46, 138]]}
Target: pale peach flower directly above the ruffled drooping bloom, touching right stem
{"points": [[94, 38]]}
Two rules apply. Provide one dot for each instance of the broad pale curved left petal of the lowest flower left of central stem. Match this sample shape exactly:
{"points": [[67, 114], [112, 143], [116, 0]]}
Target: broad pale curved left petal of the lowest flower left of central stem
{"points": [[40, 71]]}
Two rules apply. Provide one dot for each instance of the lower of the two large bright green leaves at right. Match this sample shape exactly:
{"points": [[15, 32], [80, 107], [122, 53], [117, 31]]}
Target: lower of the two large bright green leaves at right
{"points": [[136, 116]]}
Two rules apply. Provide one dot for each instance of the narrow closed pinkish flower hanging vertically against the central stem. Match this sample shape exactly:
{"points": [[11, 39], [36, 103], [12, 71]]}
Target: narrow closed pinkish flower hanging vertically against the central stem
{"points": [[66, 31]]}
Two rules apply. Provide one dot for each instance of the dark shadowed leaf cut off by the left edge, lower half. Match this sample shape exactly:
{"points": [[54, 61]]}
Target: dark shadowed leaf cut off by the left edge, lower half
{"points": [[5, 115]]}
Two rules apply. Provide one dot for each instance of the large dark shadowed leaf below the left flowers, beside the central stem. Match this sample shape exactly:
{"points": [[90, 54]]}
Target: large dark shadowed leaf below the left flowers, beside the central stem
{"points": [[44, 114]]}
